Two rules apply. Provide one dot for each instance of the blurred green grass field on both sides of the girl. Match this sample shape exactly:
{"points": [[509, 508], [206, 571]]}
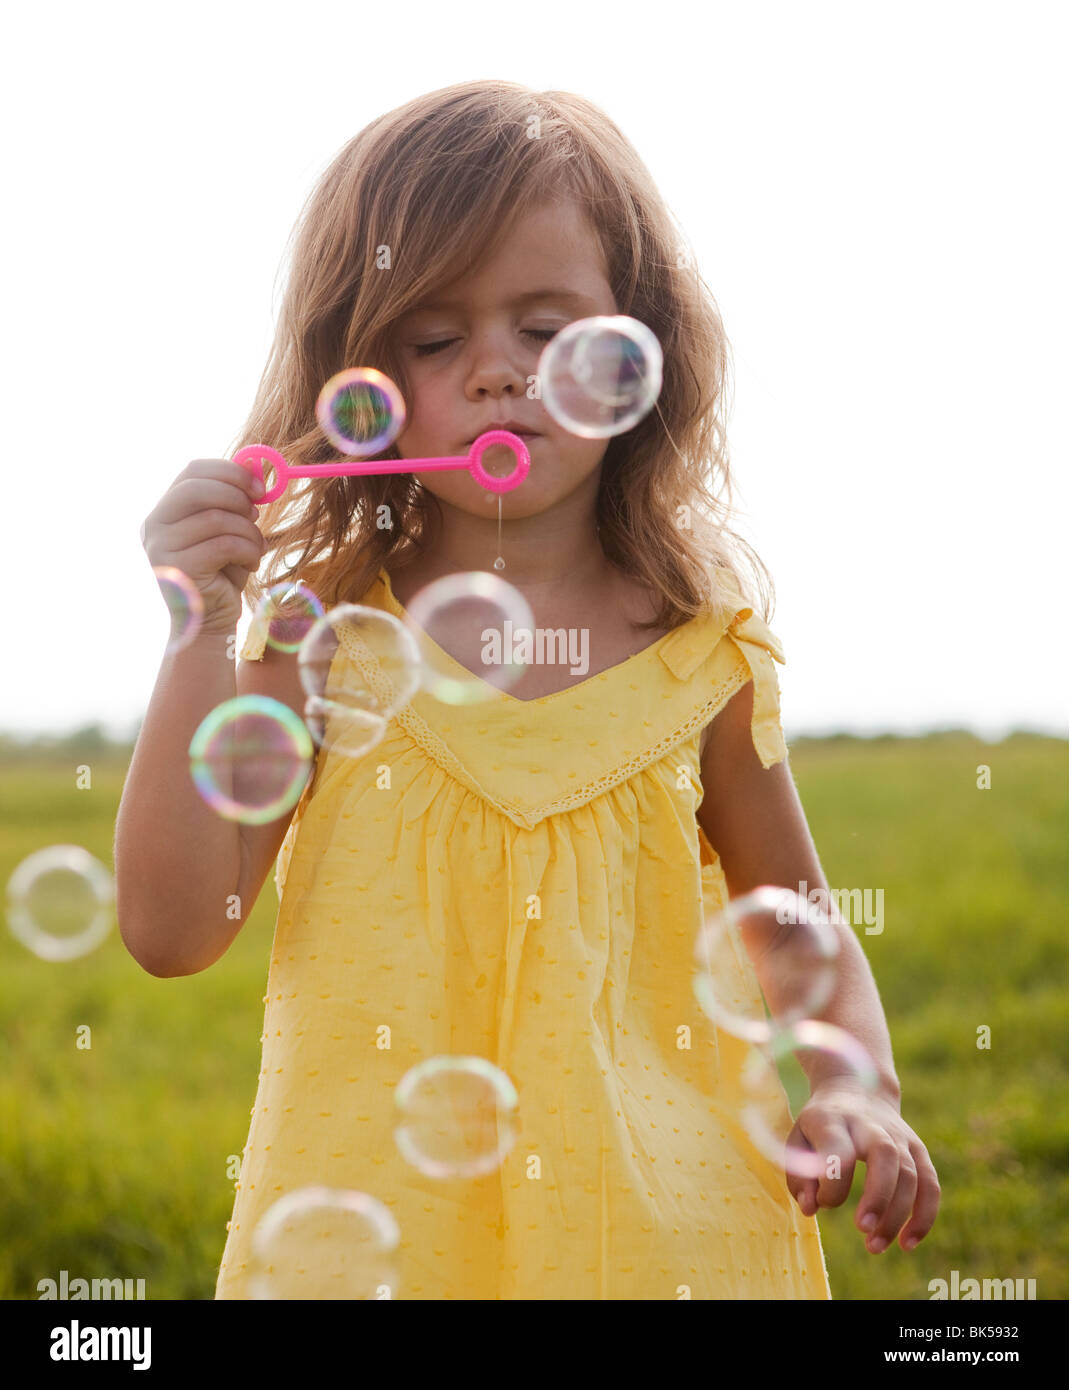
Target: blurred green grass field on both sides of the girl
{"points": [[113, 1161]]}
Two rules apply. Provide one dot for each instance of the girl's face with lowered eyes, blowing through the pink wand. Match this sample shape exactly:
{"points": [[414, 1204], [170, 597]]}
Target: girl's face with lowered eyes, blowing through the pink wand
{"points": [[471, 354]]}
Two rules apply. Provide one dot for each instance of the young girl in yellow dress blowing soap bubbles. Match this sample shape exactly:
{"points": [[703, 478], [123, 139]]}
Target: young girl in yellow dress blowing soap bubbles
{"points": [[447, 245]]}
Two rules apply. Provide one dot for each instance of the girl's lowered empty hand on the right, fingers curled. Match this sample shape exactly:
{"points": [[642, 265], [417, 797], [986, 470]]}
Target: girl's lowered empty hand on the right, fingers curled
{"points": [[900, 1185]]}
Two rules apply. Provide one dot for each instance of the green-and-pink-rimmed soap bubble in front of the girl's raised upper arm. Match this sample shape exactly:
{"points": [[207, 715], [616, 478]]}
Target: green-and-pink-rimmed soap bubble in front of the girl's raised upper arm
{"points": [[251, 760]]}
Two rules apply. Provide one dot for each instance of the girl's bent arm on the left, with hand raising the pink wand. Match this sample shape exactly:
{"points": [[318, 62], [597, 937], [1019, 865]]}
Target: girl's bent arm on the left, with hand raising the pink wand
{"points": [[179, 865]]}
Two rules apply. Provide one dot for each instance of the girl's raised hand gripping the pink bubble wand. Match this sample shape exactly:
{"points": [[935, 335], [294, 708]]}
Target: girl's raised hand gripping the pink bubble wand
{"points": [[205, 526]]}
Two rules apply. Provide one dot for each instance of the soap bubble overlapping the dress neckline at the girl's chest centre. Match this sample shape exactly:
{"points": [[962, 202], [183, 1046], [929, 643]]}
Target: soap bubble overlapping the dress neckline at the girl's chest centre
{"points": [[476, 636]]}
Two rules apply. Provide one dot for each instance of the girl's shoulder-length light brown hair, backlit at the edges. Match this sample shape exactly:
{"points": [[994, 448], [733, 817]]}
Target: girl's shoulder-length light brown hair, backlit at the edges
{"points": [[441, 181]]}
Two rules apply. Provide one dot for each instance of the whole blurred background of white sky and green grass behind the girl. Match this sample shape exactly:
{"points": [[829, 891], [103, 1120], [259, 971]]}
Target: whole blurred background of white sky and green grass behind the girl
{"points": [[876, 198]]}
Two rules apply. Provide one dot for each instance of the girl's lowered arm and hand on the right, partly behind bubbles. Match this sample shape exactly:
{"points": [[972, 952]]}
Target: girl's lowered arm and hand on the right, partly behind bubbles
{"points": [[754, 819]]}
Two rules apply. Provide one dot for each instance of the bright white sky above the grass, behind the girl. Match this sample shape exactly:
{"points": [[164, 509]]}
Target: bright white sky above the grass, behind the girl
{"points": [[876, 195]]}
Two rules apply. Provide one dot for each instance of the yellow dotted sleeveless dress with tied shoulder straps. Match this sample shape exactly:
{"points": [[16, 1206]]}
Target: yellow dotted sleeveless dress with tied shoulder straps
{"points": [[525, 882]]}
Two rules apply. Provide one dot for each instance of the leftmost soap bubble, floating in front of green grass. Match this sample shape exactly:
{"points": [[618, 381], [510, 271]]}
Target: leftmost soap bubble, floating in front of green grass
{"points": [[60, 903]]}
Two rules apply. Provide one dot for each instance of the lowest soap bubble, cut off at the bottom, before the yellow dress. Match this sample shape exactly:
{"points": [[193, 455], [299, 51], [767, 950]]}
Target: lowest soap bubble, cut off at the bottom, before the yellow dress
{"points": [[325, 1243]]}
